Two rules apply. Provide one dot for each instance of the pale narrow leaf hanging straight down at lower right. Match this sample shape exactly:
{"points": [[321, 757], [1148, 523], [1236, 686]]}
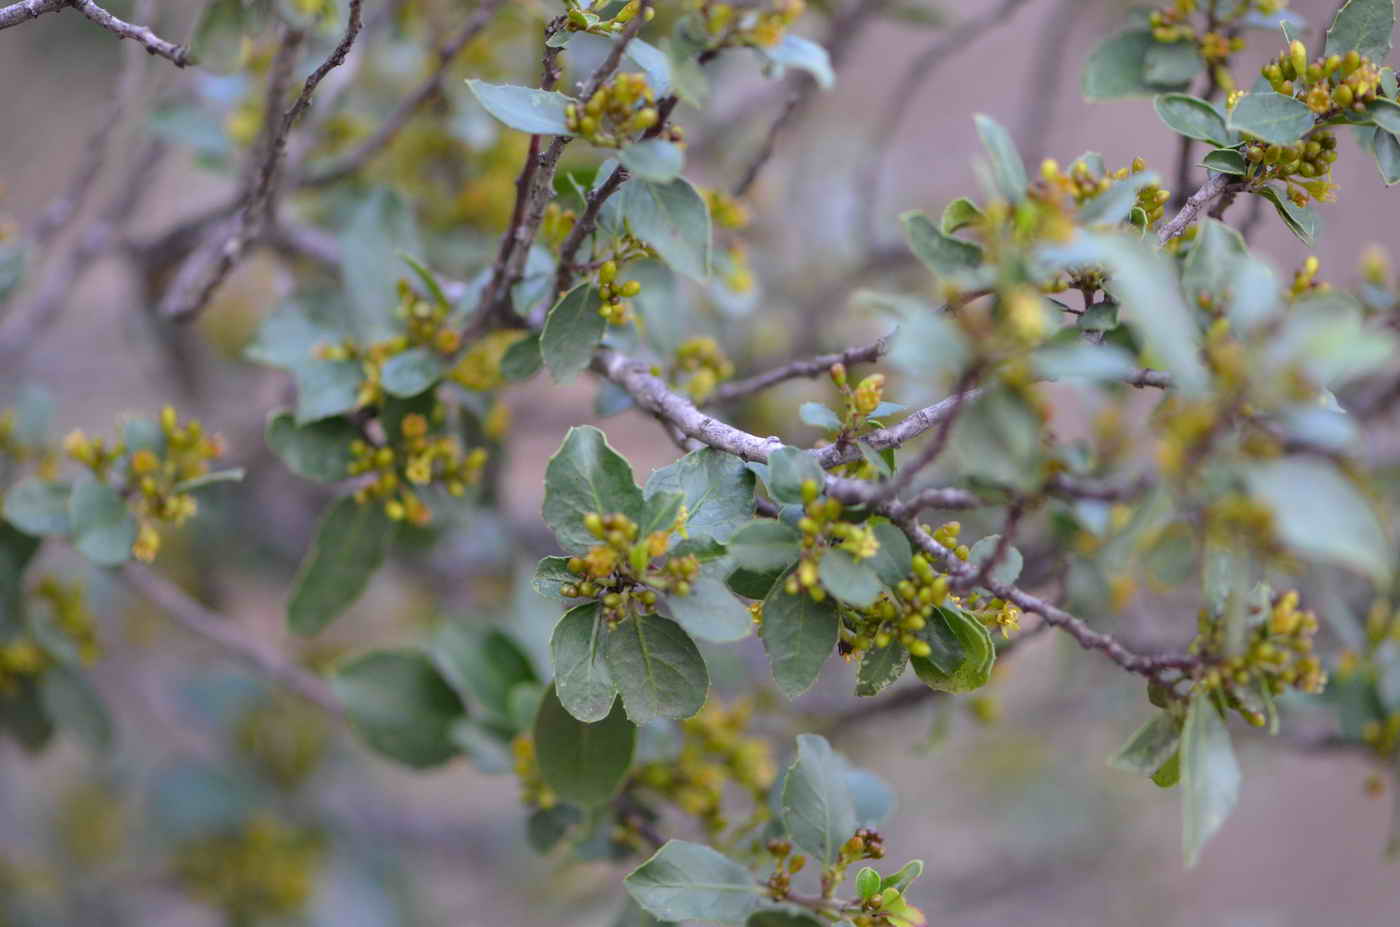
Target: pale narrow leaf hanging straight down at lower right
{"points": [[1210, 776]]}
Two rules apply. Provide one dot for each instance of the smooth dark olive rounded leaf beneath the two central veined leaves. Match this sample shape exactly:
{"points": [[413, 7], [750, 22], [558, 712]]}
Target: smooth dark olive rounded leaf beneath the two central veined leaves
{"points": [[584, 764]]}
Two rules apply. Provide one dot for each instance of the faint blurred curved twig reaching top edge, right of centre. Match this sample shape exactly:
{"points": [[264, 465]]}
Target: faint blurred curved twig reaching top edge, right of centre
{"points": [[904, 95]]}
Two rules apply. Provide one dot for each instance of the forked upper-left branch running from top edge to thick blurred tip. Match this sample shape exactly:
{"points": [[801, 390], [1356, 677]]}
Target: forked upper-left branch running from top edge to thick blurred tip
{"points": [[227, 243]]}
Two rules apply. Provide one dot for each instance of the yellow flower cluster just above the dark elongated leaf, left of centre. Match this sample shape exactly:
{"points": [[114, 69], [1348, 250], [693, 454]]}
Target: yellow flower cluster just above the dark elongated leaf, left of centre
{"points": [[426, 456]]}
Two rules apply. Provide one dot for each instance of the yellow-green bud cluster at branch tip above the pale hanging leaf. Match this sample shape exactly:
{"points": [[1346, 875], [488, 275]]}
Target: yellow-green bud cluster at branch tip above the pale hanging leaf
{"points": [[1277, 655]]}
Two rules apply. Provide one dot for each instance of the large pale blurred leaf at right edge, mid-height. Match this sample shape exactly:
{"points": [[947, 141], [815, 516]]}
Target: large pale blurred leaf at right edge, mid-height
{"points": [[1322, 516]]}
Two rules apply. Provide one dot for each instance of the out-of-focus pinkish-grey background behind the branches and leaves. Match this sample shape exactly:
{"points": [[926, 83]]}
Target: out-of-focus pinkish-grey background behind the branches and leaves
{"points": [[1006, 797]]}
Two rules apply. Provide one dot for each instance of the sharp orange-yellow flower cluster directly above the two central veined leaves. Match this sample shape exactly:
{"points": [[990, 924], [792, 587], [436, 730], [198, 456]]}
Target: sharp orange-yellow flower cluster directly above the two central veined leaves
{"points": [[625, 572]]}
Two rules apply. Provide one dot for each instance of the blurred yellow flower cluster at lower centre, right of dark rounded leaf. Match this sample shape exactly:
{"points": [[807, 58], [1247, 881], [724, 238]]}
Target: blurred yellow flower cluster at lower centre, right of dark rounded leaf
{"points": [[716, 753]]}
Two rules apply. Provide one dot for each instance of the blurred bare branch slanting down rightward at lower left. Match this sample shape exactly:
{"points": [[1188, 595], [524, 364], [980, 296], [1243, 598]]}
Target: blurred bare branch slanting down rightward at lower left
{"points": [[222, 631]]}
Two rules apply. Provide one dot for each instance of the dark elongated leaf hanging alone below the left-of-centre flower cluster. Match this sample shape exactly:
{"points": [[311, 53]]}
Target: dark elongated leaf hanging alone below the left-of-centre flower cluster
{"points": [[351, 544]]}
